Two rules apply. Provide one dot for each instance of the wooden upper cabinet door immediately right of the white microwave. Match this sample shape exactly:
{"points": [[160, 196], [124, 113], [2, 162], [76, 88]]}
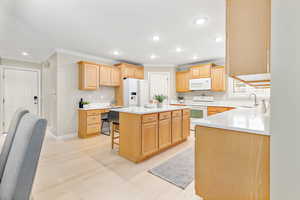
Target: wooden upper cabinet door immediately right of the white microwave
{"points": [[218, 79]]}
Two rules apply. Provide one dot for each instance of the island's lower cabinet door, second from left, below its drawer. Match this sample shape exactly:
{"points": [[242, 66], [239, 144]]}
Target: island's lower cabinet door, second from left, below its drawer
{"points": [[165, 134]]}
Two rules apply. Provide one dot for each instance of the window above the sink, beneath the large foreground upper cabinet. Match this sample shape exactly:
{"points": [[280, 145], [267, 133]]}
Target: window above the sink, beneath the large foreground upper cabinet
{"points": [[240, 89]]}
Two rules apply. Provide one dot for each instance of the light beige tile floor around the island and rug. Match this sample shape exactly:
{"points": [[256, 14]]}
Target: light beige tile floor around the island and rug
{"points": [[87, 169]]}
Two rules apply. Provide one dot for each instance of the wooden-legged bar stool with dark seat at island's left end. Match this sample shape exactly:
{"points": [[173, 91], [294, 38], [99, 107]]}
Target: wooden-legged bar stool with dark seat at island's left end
{"points": [[113, 117]]}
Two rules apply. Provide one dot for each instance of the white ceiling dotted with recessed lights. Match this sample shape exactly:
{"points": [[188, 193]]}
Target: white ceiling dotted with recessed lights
{"points": [[98, 27]]}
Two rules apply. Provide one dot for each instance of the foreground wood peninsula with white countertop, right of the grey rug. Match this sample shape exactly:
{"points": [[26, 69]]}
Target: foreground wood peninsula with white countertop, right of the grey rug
{"points": [[232, 158]]}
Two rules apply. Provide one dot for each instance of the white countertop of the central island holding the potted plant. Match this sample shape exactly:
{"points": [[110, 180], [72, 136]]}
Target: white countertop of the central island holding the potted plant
{"points": [[142, 110]]}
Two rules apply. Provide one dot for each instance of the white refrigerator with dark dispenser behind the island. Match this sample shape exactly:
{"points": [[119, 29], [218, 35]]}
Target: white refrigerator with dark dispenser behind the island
{"points": [[135, 92]]}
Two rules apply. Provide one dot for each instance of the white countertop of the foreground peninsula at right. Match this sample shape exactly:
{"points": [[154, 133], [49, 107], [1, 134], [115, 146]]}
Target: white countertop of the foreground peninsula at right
{"points": [[241, 119]]}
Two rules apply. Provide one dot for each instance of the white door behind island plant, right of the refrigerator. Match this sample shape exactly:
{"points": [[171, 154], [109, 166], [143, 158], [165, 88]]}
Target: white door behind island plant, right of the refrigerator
{"points": [[159, 83]]}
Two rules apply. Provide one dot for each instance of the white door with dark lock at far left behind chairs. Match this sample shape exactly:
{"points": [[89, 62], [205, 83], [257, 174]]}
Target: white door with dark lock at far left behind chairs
{"points": [[21, 89]]}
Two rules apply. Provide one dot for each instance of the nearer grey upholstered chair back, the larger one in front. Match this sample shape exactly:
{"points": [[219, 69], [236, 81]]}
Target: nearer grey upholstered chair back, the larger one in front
{"points": [[23, 159]]}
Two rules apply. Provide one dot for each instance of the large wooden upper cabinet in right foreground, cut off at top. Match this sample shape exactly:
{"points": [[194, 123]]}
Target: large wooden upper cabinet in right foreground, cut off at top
{"points": [[248, 37]]}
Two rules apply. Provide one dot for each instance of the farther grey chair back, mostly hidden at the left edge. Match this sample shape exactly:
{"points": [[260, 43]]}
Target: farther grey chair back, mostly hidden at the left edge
{"points": [[14, 123]]}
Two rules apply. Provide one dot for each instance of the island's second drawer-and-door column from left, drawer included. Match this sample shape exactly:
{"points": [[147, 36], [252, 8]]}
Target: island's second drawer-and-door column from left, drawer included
{"points": [[165, 130]]}
